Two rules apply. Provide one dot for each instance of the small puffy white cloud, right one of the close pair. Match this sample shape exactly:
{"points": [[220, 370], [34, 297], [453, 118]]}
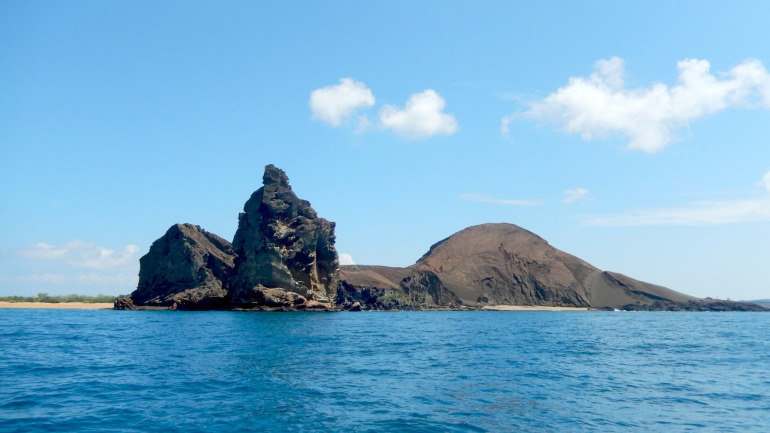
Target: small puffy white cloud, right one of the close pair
{"points": [[422, 117]]}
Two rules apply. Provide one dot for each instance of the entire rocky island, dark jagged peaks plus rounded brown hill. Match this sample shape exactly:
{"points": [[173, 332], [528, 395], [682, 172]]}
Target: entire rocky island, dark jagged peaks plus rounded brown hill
{"points": [[283, 258]]}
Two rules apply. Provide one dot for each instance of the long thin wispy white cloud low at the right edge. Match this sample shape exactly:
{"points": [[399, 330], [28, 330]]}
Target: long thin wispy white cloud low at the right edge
{"points": [[694, 214]]}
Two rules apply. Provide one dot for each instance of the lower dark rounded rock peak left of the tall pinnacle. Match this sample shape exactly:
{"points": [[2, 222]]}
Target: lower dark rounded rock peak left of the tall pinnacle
{"points": [[187, 268]]}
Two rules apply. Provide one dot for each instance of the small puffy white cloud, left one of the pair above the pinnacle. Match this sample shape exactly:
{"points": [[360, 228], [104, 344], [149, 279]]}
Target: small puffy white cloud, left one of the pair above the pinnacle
{"points": [[333, 104]]}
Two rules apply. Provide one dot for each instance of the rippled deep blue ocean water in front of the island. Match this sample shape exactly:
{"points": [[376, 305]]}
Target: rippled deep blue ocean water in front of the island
{"points": [[163, 371]]}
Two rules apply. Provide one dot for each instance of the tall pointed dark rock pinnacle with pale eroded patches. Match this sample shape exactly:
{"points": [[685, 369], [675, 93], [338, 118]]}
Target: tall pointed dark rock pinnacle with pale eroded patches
{"points": [[281, 243]]}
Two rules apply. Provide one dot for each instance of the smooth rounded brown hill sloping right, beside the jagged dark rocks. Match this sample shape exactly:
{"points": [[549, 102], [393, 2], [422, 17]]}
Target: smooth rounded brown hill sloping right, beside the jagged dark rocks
{"points": [[503, 264]]}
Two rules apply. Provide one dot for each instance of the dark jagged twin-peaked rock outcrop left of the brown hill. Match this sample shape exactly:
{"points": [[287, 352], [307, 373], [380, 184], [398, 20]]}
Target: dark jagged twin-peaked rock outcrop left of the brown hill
{"points": [[282, 257]]}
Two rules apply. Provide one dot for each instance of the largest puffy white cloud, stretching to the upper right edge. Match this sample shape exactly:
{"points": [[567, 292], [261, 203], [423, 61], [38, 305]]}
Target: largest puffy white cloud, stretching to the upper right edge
{"points": [[600, 105]]}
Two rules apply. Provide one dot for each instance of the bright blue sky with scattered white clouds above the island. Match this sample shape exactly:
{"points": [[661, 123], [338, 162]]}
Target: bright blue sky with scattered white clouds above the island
{"points": [[634, 135]]}
